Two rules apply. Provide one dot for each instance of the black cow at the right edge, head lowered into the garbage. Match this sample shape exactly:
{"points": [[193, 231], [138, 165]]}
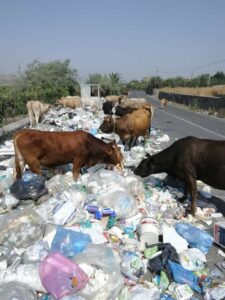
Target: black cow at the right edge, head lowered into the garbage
{"points": [[189, 159]]}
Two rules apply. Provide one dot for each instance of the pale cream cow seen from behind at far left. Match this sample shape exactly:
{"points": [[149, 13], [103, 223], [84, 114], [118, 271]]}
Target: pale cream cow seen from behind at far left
{"points": [[36, 110]]}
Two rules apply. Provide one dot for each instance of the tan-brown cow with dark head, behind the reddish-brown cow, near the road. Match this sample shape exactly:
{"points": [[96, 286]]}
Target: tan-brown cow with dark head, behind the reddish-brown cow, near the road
{"points": [[130, 126]]}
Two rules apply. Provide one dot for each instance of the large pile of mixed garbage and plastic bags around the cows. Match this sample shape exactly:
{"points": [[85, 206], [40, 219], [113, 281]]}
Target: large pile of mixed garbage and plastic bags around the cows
{"points": [[109, 235]]}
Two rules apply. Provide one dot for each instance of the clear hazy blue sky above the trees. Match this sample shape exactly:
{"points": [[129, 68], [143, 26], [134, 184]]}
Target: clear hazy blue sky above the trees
{"points": [[135, 38]]}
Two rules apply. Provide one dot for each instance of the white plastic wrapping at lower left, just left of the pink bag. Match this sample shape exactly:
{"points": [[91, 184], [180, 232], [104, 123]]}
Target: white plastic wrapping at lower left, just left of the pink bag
{"points": [[26, 274]]}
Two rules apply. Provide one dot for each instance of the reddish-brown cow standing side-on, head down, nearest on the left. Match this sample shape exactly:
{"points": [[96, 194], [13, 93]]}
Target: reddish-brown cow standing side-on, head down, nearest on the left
{"points": [[49, 149]]}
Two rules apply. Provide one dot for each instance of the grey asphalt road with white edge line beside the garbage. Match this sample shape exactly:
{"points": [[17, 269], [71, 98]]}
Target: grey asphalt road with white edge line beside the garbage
{"points": [[178, 122]]}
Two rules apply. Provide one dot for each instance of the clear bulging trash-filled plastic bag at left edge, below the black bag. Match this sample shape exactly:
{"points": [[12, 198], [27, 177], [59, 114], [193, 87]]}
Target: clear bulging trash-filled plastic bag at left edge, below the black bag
{"points": [[21, 228]]}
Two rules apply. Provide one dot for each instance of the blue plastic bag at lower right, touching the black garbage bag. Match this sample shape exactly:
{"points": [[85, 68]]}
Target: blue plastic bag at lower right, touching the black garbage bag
{"points": [[182, 276]]}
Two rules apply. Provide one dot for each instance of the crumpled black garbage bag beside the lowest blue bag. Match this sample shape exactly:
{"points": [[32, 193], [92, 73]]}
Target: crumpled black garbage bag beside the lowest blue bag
{"points": [[159, 263]]}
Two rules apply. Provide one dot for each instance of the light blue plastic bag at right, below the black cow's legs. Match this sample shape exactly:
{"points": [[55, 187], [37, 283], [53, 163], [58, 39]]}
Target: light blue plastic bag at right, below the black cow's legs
{"points": [[195, 237]]}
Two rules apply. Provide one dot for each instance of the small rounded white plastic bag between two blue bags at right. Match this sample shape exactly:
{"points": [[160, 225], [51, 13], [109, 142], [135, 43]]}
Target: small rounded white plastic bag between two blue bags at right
{"points": [[192, 259]]}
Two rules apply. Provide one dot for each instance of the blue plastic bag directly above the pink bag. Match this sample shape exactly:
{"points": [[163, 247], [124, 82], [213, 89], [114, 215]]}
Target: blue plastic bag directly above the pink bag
{"points": [[69, 242]]}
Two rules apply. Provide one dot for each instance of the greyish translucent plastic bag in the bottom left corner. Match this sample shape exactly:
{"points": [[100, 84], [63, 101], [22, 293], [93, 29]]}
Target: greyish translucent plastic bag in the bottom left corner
{"points": [[17, 291]]}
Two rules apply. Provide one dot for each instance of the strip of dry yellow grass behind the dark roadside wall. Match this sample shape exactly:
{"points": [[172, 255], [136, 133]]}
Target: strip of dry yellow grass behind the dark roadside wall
{"points": [[214, 91]]}
